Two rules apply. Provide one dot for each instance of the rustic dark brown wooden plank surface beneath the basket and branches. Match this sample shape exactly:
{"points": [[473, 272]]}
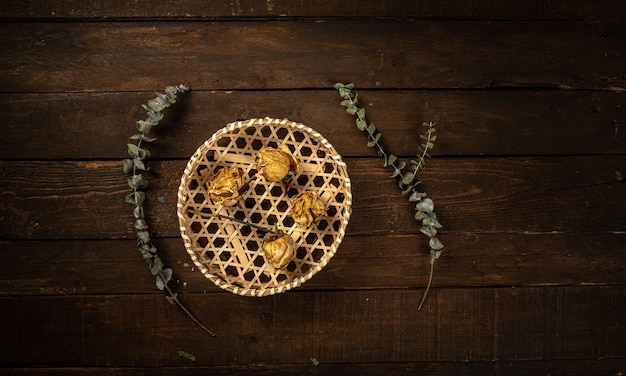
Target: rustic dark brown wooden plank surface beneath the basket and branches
{"points": [[531, 117]]}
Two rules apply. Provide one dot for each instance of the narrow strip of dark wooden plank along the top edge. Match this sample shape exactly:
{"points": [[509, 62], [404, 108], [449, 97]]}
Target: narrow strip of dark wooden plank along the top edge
{"points": [[283, 9]]}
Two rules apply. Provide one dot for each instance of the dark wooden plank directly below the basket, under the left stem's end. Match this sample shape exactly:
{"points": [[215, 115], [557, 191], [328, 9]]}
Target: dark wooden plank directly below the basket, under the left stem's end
{"points": [[360, 326]]}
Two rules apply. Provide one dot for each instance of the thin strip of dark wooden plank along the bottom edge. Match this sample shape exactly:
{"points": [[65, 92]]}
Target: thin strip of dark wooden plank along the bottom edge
{"points": [[570, 367]]}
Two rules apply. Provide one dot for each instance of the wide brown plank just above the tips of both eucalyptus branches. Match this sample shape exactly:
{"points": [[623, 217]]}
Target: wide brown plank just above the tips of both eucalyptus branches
{"points": [[93, 57]]}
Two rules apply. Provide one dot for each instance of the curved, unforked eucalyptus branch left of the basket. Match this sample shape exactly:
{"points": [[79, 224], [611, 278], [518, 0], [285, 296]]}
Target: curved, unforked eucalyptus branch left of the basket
{"points": [[137, 181]]}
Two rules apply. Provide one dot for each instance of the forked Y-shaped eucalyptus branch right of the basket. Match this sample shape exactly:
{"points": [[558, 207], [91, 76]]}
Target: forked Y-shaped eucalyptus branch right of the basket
{"points": [[407, 179]]}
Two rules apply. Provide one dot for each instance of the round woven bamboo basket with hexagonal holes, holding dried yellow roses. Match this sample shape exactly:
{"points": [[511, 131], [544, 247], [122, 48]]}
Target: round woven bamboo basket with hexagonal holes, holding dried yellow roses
{"points": [[228, 252]]}
